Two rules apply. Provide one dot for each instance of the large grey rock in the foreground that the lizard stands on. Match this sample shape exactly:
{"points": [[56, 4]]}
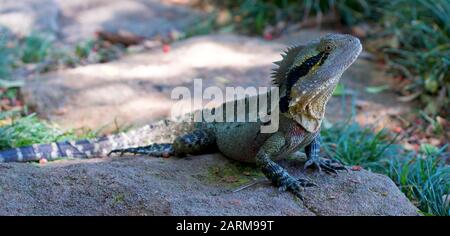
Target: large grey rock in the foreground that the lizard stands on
{"points": [[174, 186]]}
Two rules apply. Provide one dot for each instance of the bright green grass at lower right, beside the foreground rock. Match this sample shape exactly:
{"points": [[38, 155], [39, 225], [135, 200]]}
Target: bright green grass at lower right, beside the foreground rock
{"points": [[424, 177]]}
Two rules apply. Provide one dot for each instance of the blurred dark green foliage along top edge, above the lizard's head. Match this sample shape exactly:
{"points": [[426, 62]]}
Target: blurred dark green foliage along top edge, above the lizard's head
{"points": [[253, 16]]}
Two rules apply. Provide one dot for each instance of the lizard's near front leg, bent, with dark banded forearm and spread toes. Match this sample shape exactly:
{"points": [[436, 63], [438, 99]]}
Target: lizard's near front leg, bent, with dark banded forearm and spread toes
{"points": [[274, 172]]}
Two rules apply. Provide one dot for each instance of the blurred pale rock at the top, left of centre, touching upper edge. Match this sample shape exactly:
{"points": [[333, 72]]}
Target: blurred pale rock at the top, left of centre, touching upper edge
{"points": [[82, 18]]}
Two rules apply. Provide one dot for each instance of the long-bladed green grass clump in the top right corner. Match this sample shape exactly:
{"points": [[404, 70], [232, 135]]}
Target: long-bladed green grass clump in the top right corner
{"points": [[422, 53]]}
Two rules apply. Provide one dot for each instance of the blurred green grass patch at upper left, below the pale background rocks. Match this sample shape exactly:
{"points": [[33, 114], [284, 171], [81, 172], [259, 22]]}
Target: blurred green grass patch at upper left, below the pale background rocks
{"points": [[40, 48]]}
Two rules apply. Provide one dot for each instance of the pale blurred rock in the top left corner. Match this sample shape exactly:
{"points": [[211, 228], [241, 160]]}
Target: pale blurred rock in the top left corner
{"points": [[27, 16]]}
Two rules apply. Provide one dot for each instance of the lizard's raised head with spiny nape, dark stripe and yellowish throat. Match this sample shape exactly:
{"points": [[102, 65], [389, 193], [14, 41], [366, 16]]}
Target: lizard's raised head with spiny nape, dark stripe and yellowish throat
{"points": [[308, 74]]}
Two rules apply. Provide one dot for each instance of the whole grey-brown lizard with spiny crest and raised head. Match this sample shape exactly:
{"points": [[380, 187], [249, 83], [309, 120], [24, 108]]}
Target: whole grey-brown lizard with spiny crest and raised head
{"points": [[306, 78]]}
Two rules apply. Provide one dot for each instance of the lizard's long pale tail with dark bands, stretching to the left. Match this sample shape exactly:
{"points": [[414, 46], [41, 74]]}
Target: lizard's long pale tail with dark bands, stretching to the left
{"points": [[162, 131]]}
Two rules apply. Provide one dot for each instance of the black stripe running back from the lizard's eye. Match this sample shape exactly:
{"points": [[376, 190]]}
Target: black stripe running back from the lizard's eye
{"points": [[294, 74]]}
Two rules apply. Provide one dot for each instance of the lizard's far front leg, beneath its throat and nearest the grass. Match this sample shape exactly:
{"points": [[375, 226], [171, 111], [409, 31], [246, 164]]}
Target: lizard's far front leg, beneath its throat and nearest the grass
{"points": [[312, 152]]}
